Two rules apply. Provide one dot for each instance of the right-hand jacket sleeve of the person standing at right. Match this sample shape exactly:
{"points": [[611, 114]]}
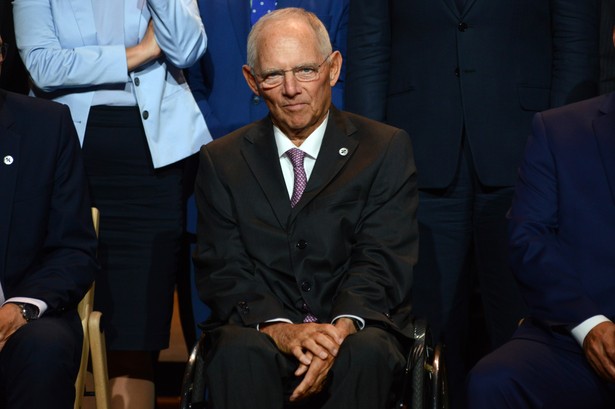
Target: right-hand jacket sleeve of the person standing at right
{"points": [[575, 68]]}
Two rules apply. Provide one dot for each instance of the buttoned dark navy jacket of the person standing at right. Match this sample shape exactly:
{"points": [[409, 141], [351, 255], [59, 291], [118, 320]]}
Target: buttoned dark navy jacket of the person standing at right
{"points": [[427, 68]]}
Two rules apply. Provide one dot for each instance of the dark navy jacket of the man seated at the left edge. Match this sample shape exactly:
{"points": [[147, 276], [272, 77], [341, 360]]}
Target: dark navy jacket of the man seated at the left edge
{"points": [[47, 241]]}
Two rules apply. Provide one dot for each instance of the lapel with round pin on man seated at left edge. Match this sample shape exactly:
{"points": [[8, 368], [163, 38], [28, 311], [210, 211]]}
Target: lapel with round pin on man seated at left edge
{"points": [[9, 160]]}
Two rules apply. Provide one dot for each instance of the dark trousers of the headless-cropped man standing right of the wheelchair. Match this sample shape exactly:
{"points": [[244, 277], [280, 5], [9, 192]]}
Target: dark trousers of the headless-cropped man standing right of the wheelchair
{"points": [[463, 247]]}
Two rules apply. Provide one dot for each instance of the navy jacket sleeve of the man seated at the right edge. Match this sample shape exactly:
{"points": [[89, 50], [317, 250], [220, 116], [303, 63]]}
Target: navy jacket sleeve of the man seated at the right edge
{"points": [[548, 280]]}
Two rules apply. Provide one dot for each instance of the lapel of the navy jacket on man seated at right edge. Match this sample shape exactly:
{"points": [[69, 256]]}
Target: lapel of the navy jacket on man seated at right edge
{"points": [[604, 130]]}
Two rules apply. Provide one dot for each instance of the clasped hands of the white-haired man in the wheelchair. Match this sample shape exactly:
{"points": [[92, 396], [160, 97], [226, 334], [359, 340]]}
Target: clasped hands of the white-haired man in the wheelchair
{"points": [[314, 345]]}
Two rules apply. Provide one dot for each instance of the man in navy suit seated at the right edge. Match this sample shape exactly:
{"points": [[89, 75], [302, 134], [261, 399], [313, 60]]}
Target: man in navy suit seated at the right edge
{"points": [[562, 225]]}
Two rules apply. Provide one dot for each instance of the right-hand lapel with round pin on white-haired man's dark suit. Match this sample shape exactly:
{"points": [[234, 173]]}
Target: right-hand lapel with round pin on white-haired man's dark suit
{"points": [[337, 148]]}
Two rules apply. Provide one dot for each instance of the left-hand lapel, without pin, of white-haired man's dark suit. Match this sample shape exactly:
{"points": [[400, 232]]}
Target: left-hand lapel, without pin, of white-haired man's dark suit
{"points": [[261, 155]]}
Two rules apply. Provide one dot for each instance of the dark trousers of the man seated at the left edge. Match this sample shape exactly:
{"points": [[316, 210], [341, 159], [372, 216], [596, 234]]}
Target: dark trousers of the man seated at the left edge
{"points": [[39, 364]]}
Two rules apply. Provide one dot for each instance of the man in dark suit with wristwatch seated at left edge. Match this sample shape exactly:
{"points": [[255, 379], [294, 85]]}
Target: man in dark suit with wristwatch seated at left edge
{"points": [[47, 252]]}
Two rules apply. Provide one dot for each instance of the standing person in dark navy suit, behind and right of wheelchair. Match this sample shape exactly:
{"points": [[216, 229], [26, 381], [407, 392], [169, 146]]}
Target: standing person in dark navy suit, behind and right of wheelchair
{"points": [[463, 78]]}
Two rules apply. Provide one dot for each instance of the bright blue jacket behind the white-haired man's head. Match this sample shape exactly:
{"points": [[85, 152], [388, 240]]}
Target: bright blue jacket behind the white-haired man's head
{"points": [[216, 80]]}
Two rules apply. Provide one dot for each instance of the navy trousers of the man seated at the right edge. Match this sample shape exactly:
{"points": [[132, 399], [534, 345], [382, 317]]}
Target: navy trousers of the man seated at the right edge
{"points": [[538, 369]]}
